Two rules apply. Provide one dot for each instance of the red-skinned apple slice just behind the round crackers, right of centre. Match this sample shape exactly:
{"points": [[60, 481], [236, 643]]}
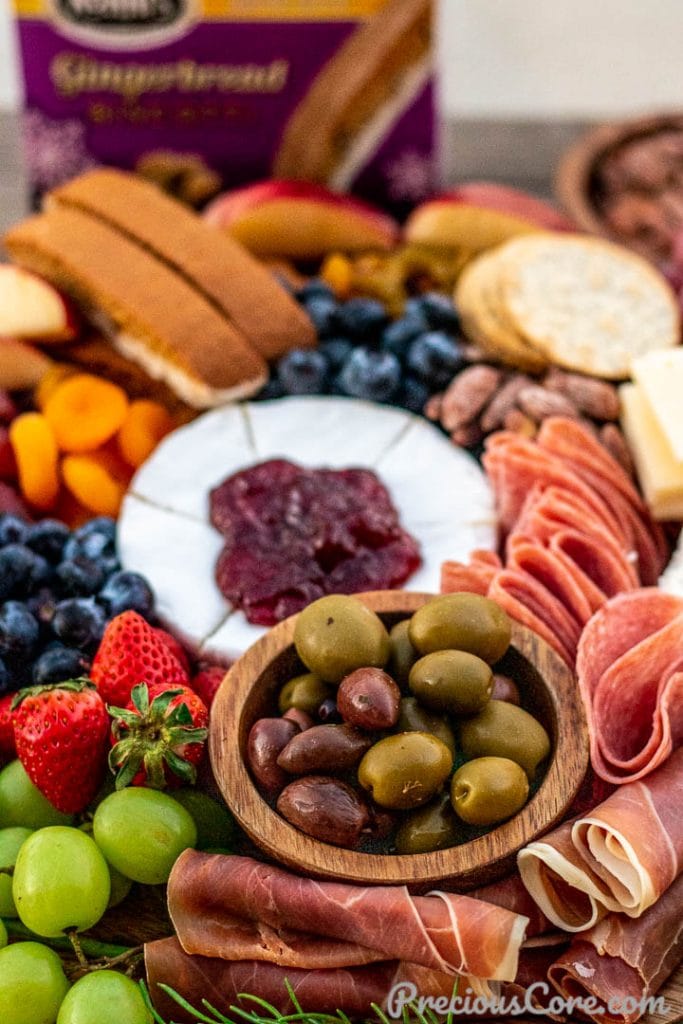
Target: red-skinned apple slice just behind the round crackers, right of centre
{"points": [[479, 216]]}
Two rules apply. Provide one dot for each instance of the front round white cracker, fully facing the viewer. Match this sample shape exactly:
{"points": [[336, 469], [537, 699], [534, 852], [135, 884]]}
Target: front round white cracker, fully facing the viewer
{"points": [[587, 305]]}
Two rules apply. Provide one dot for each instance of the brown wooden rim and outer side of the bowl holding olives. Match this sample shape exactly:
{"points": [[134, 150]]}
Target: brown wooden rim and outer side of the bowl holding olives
{"points": [[285, 843]]}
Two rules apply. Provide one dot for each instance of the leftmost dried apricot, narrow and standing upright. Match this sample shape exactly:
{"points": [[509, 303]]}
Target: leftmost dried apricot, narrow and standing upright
{"points": [[36, 454]]}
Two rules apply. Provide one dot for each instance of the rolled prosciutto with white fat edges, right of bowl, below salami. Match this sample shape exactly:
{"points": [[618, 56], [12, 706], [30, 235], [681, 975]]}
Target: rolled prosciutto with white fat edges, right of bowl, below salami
{"points": [[622, 857]]}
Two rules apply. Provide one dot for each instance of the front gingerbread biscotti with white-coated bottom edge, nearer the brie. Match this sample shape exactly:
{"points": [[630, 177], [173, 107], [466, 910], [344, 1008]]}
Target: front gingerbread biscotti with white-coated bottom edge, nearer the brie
{"points": [[151, 314]]}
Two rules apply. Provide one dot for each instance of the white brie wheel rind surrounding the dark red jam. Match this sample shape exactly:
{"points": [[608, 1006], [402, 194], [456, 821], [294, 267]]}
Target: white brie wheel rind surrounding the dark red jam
{"points": [[441, 493]]}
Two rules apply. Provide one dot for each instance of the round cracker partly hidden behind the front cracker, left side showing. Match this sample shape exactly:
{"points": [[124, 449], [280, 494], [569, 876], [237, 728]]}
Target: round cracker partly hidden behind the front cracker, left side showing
{"points": [[484, 321]]}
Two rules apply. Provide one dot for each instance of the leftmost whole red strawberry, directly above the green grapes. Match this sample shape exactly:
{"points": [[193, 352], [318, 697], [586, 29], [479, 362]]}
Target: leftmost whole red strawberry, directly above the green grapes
{"points": [[62, 737]]}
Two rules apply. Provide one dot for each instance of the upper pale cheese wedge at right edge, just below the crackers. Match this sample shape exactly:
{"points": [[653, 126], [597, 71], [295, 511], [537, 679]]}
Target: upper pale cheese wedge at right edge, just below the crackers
{"points": [[660, 374]]}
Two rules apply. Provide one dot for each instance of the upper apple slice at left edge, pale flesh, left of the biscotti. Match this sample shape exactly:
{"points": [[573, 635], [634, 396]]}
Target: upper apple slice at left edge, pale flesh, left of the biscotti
{"points": [[32, 310]]}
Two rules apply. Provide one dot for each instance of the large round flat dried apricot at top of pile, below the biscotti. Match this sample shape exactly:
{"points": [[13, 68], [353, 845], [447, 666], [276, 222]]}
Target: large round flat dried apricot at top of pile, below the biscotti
{"points": [[86, 411]]}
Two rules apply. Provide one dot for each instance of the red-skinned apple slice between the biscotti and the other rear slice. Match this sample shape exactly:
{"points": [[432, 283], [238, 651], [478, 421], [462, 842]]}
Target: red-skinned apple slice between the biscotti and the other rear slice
{"points": [[298, 221]]}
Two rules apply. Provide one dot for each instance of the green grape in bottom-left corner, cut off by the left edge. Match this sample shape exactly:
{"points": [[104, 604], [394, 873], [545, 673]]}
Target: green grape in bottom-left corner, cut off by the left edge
{"points": [[32, 985]]}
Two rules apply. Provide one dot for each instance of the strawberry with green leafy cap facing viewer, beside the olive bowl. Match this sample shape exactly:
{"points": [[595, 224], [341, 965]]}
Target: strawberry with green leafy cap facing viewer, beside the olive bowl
{"points": [[159, 738]]}
